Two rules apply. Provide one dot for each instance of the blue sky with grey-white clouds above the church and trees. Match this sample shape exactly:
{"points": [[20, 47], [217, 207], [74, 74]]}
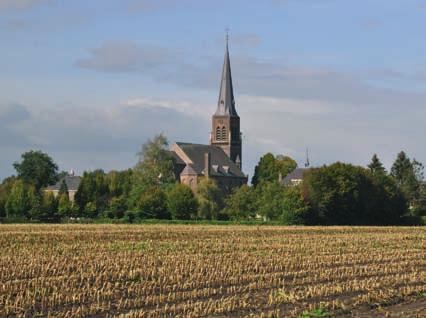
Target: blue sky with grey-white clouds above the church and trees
{"points": [[89, 82]]}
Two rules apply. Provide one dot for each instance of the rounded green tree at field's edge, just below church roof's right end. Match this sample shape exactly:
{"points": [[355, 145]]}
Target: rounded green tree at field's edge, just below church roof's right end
{"points": [[242, 203]]}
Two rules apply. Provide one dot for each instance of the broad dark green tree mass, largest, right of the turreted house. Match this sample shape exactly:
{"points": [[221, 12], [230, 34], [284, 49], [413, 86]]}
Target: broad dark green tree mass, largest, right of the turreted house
{"points": [[345, 194]]}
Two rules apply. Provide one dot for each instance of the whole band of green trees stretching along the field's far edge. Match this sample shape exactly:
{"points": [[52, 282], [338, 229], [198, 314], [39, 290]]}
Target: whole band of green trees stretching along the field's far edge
{"points": [[336, 194]]}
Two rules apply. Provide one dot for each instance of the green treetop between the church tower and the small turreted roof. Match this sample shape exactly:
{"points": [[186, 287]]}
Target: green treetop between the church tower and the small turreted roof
{"points": [[269, 168]]}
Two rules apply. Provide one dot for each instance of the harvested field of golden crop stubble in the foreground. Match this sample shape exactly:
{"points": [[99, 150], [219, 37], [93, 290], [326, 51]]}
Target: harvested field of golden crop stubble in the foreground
{"points": [[194, 270]]}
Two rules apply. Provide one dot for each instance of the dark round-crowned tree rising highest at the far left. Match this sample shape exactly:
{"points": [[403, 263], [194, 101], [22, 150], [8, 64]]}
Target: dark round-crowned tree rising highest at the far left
{"points": [[37, 168]]}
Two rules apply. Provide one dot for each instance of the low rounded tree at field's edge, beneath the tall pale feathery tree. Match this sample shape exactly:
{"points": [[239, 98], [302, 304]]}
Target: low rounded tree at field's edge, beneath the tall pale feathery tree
{"points": [[153, 205]]}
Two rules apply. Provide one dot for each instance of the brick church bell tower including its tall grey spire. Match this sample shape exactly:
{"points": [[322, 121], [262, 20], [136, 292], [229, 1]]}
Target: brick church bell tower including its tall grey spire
{"points": [[225, 121]]}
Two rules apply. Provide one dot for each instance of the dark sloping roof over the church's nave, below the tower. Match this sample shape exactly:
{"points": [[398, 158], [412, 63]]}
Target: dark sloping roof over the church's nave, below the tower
{"points": [[221, 164]]}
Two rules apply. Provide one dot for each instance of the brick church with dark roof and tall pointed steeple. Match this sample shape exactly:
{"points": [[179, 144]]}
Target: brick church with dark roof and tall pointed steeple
{"points": [[221, 159]]}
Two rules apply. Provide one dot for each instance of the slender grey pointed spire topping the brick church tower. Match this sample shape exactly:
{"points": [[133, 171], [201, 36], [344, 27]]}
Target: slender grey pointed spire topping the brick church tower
{"points": [[226, 102]]}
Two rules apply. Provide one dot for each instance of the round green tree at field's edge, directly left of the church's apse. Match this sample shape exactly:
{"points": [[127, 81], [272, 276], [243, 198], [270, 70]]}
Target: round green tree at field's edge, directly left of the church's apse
{"points": [[181, 202]]}
